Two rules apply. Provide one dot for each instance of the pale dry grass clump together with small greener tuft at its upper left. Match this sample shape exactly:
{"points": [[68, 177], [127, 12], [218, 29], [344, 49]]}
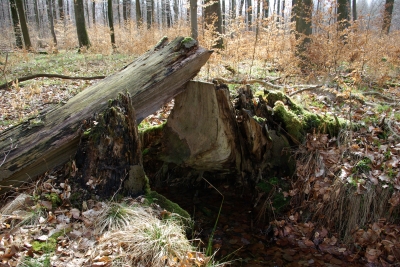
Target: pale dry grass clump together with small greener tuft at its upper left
{"points": [[142, 239]]}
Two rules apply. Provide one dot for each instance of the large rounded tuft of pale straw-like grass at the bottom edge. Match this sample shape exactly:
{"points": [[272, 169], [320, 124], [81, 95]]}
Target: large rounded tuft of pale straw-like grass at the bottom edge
{"points": [[149, 241]]}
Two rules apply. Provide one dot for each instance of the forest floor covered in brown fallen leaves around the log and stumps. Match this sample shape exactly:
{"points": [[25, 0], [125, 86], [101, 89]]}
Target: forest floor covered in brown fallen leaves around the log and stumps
{"points": [[365, 161]]}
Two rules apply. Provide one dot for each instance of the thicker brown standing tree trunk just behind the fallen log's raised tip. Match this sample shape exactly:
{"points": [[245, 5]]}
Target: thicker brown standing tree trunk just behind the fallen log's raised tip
{"points": [[213, 17]]}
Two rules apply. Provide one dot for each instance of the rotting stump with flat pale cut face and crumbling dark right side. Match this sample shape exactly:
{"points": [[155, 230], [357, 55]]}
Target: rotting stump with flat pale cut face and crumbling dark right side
{"points": [[205, 132]]}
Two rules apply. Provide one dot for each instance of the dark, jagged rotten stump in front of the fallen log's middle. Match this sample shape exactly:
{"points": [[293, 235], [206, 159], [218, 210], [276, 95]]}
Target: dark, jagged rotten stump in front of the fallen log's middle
{"points": [[109, 157]]}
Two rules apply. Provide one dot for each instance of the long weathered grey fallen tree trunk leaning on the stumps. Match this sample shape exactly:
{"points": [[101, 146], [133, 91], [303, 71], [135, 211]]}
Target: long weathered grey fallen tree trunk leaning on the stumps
{"points": [[153, 79]]}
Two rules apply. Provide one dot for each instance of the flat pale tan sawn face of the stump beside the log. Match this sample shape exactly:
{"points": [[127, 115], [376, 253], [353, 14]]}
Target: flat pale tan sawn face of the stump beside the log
{"points": [[201, 130]]}
